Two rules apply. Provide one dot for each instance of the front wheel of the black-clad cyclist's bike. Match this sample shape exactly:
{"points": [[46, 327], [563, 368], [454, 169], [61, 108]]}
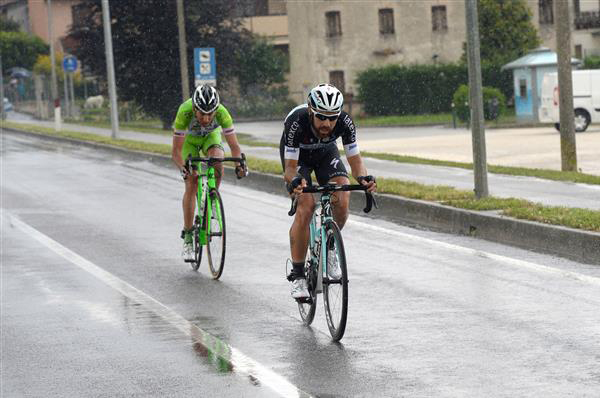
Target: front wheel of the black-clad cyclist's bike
{"points": [[335, 282]]}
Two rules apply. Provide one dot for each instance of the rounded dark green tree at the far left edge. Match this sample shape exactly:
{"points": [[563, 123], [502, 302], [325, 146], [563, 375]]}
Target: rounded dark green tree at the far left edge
{"points": [[20, 49]]}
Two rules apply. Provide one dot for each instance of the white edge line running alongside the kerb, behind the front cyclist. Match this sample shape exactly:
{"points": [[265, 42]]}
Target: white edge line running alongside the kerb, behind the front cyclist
{"points": [[448, 246]]}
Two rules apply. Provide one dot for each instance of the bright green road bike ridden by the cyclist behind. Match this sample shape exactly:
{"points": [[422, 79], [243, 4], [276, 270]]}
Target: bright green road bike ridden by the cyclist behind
{"points": [[209, 222]]}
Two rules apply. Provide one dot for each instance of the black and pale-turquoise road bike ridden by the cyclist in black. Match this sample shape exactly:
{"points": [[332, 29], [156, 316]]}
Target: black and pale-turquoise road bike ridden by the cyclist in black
{"points": [[323, 259]]}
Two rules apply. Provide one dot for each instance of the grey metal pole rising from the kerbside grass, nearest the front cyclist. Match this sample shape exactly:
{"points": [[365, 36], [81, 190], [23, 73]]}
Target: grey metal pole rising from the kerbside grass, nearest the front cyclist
{"points": [[476, 101]]}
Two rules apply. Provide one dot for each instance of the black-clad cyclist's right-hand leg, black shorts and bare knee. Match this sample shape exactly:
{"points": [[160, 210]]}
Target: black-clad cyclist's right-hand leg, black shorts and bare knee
{"points": [[331, 170]]}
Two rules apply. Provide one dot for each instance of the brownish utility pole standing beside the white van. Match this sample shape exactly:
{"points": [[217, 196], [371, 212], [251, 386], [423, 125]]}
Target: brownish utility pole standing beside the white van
{"points": [[568, 150]]}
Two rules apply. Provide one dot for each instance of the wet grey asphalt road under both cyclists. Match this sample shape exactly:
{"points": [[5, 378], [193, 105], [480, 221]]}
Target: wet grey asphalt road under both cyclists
{"points": [[96, 302]]}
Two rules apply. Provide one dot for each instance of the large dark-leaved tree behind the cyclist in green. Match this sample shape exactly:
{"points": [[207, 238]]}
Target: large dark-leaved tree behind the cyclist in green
{"points": [[145, 46]]}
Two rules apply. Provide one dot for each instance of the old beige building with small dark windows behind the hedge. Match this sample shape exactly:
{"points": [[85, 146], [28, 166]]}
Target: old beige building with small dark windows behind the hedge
{"points": [[333, 40]]}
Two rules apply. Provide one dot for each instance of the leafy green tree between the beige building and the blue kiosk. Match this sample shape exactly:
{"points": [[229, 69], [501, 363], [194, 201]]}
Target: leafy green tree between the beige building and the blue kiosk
{"points": [[506, 31]]}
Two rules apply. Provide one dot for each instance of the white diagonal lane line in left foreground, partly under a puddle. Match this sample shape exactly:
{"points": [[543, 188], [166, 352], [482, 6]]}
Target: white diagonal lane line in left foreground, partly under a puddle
{"points": [[241, 363]]}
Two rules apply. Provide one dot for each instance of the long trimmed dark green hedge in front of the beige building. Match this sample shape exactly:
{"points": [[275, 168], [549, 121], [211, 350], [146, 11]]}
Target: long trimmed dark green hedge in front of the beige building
{"points": [[419, 89]]}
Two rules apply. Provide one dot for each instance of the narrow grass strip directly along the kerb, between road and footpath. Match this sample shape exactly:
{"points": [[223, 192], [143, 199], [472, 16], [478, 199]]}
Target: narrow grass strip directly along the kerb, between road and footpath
{"points": [[517, 208]]}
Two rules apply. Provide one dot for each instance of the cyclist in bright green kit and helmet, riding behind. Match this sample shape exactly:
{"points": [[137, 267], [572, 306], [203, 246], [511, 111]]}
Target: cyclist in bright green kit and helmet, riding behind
{"points": [[197, 128]]}
